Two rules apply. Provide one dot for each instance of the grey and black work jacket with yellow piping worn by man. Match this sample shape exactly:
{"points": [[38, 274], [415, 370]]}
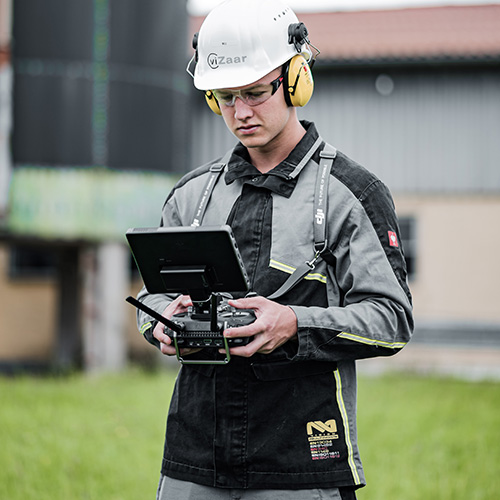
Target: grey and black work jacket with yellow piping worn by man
{"points": [[288, 419]]}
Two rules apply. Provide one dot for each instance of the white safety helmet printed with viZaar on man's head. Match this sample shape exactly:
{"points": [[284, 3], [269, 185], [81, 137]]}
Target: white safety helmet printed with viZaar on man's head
{"points": [[240, 41]]}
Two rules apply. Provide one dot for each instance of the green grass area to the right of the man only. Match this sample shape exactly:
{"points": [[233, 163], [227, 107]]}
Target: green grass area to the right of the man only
{"points": [[429, 438]]}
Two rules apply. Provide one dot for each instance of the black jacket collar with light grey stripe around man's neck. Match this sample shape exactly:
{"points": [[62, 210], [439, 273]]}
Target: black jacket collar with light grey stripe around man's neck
{"points": [[282, 178]]}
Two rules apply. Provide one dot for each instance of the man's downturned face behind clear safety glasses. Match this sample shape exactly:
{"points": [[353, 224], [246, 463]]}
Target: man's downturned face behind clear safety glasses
{"points": [[261, 125]]}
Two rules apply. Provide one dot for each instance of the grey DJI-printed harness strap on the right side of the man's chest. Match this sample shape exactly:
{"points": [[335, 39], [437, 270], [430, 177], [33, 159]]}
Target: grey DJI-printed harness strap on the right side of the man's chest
{"points": [[320, 224]]}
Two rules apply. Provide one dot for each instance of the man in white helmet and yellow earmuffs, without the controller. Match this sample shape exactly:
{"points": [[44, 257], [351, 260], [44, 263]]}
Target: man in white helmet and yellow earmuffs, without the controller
{"points": [[279, 420]]}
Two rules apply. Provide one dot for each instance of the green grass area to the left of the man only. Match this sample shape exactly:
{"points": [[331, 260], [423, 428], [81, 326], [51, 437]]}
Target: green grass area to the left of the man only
{"points": [[82, 438]]}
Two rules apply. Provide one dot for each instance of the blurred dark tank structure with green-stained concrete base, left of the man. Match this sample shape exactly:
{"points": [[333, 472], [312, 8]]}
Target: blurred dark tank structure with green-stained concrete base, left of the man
{"points": [[99, 126]]}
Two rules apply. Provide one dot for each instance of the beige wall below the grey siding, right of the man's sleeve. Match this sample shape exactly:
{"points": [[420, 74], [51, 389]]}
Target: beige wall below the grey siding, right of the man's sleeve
{"points": [[458, 267]]}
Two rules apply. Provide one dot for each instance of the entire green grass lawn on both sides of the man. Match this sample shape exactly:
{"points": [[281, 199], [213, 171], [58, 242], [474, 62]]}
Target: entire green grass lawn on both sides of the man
{"points": [[101, 438]]}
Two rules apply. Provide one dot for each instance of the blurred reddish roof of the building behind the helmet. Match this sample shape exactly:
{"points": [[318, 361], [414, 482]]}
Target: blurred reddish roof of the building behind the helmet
{"points": [[447, 33]]}
